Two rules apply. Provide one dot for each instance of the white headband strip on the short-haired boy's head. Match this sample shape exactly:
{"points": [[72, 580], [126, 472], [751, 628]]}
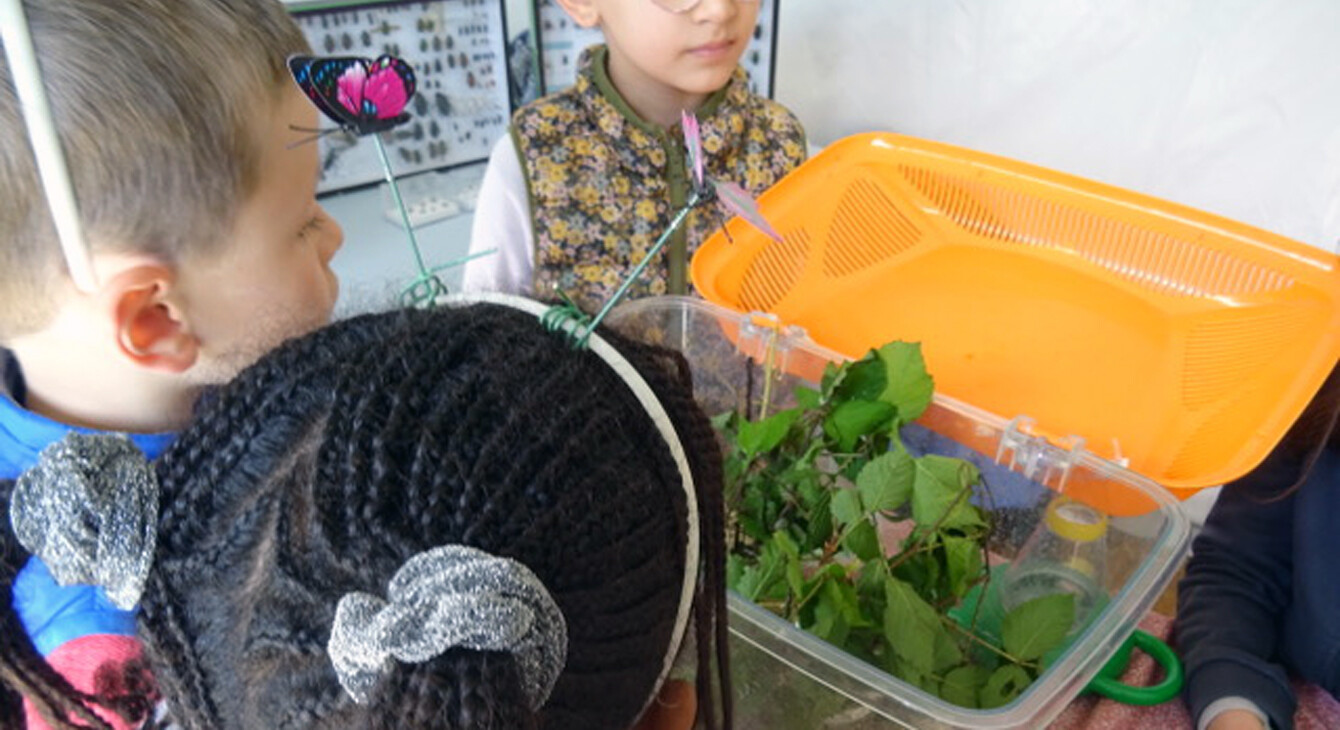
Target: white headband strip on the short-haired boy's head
{"points": [[46, 145]]}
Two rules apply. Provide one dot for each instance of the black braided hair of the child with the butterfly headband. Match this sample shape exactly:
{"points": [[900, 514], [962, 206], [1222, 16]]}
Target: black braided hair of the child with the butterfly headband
{"points": [[340, 456]]}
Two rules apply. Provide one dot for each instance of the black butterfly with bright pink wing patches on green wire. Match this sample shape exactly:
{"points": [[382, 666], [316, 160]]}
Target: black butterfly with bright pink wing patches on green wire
{"points": [[361, 96]]}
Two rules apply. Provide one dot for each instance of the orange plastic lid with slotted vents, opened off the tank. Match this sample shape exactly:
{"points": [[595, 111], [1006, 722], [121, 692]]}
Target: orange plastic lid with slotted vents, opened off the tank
{"points": [[1179, 344]]}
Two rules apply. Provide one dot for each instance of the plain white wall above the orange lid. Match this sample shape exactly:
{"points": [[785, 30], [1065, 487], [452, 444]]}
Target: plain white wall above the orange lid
{"points": [[1229, 106]]}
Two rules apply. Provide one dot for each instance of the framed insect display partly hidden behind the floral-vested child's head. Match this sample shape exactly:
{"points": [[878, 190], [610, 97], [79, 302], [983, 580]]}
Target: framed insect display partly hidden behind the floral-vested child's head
{"points": [[562, 42]]}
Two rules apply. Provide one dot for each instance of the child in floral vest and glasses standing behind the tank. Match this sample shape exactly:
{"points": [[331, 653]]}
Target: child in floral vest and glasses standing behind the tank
{"points": [[592, 176]]}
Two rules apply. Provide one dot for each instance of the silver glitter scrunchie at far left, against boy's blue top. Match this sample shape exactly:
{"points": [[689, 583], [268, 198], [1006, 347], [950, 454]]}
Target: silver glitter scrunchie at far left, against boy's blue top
{"points": [[89, 510]]}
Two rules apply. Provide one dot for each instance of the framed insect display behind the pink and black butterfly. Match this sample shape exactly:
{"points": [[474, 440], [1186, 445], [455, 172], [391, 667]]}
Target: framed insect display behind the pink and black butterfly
{"points": [[456, 56]]}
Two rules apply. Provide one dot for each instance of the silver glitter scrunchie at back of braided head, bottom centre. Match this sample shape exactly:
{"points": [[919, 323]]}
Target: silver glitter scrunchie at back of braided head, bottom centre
{"points": [[451, 597]]}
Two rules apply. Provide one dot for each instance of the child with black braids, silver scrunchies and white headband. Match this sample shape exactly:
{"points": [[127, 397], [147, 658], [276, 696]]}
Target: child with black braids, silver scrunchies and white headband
{"points": [[424, 519]]}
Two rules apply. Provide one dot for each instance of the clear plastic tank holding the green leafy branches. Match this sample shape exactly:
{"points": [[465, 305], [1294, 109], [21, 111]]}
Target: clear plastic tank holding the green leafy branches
{"points": [[787, 678]]}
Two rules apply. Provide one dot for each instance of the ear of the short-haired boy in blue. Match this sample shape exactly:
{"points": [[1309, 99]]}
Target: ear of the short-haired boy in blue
{"points": [[149, 327]]}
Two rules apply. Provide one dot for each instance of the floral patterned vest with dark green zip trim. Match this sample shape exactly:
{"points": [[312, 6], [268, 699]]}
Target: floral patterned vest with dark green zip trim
{"points": [[604, 184]]}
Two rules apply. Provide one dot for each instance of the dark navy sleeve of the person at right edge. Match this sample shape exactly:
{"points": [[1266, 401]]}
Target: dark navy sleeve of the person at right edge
{"points": [[1236, 591]]}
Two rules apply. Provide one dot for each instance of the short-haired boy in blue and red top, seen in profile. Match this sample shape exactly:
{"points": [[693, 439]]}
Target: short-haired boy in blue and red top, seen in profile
{"points": [[178, 121]]}
